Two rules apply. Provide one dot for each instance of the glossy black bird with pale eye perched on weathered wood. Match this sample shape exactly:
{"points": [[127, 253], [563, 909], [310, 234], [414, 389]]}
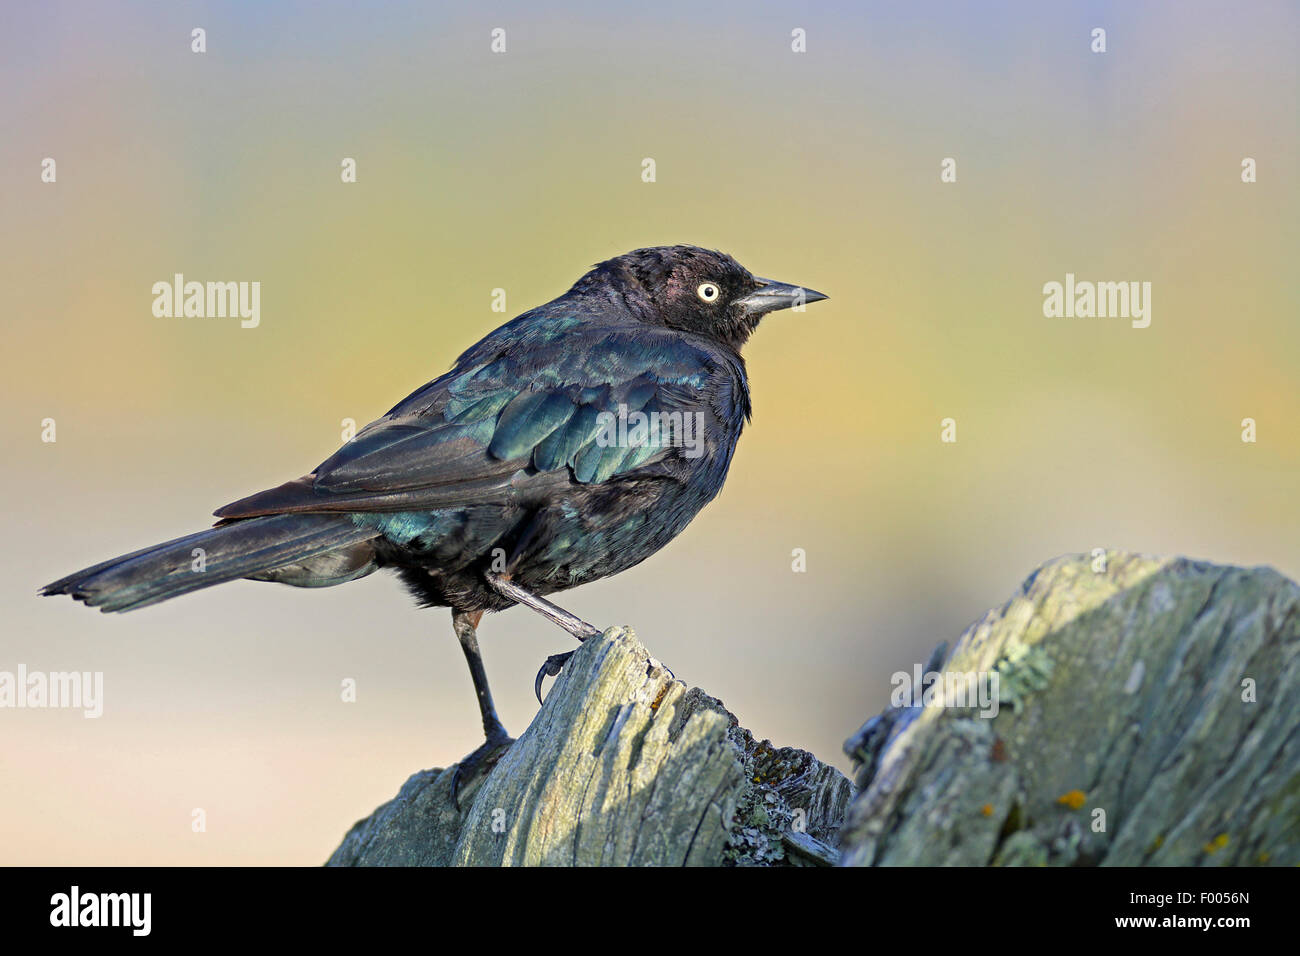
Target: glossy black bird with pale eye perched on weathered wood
{"points": [[567, 445]]}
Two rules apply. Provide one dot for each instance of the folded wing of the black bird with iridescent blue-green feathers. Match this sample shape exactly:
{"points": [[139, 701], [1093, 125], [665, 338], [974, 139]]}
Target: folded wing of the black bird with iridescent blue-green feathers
{"points": [[509, 414]]}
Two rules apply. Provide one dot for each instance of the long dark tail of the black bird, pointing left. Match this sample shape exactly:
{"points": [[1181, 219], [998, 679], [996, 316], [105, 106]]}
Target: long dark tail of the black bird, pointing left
{"points": [[306, 551]]}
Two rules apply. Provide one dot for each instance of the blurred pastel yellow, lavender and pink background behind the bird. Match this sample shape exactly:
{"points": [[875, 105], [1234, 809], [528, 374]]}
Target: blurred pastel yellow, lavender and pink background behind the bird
{"points": [[519, 171]]}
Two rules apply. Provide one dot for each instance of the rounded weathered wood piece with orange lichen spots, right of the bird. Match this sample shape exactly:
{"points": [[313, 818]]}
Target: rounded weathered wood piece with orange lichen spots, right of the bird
{"points": [[1150, 716]]}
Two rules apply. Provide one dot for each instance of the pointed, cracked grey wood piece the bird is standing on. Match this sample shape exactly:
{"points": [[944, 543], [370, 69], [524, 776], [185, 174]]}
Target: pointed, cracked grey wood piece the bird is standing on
{"points": [[623, 765]]}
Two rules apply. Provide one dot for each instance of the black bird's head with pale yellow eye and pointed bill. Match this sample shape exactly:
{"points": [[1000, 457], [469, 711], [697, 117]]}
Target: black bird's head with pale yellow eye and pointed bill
{"points": [[696, 291]]}
